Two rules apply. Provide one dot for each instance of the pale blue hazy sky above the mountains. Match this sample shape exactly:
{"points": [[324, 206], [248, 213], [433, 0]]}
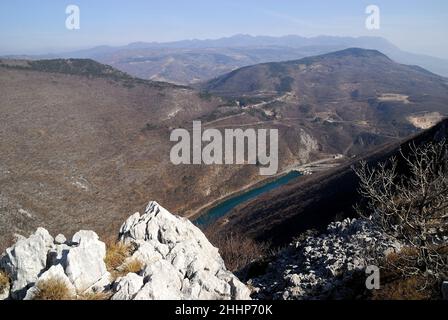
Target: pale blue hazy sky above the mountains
{"points": [[37, 26]]}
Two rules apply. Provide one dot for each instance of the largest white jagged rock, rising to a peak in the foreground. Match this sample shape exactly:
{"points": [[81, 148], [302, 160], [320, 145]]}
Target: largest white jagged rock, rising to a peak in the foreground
{"points": [[196, 270]]}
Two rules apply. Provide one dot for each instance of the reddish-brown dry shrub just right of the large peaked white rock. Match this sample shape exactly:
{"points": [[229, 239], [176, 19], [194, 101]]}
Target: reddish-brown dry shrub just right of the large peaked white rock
{"points": [[238, 251]]}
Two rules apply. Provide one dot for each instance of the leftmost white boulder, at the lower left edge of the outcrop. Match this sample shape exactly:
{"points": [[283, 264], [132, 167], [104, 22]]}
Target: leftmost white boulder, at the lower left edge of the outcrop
{"points": [[25, 260]]}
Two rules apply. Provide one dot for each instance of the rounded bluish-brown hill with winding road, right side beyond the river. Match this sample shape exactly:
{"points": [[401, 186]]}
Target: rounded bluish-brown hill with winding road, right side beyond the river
{"points": [[355, 87]]}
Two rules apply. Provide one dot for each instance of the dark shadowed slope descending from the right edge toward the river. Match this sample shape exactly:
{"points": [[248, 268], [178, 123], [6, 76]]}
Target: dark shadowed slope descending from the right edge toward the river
{"points": [[315, 201]]}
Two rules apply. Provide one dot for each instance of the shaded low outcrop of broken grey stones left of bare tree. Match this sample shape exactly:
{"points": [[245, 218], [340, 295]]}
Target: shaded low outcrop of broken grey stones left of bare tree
{"points": [[322, 266]]}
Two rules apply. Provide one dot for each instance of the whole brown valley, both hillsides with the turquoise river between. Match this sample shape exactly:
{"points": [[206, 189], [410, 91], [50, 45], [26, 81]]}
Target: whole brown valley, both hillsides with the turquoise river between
{"points": [[85, 143]]}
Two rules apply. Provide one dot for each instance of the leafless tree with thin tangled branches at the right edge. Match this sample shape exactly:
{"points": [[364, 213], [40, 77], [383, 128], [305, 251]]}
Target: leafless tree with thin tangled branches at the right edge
{"points": [[411, 207]]}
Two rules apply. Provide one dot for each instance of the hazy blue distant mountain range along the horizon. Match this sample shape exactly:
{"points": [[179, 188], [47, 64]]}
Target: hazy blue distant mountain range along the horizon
{"points": [[193, 61]]}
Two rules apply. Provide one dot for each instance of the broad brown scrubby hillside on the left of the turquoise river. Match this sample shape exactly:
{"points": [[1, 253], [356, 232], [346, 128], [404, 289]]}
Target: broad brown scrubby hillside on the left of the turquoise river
{"points": [[80, 142]]}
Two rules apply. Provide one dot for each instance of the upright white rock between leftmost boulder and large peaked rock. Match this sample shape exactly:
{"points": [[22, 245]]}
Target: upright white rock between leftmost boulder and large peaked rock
{"points": [[85, 263]]}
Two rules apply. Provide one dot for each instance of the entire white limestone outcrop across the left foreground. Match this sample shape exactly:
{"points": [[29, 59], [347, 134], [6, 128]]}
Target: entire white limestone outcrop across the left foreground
{"points": [[178, 262]]}
